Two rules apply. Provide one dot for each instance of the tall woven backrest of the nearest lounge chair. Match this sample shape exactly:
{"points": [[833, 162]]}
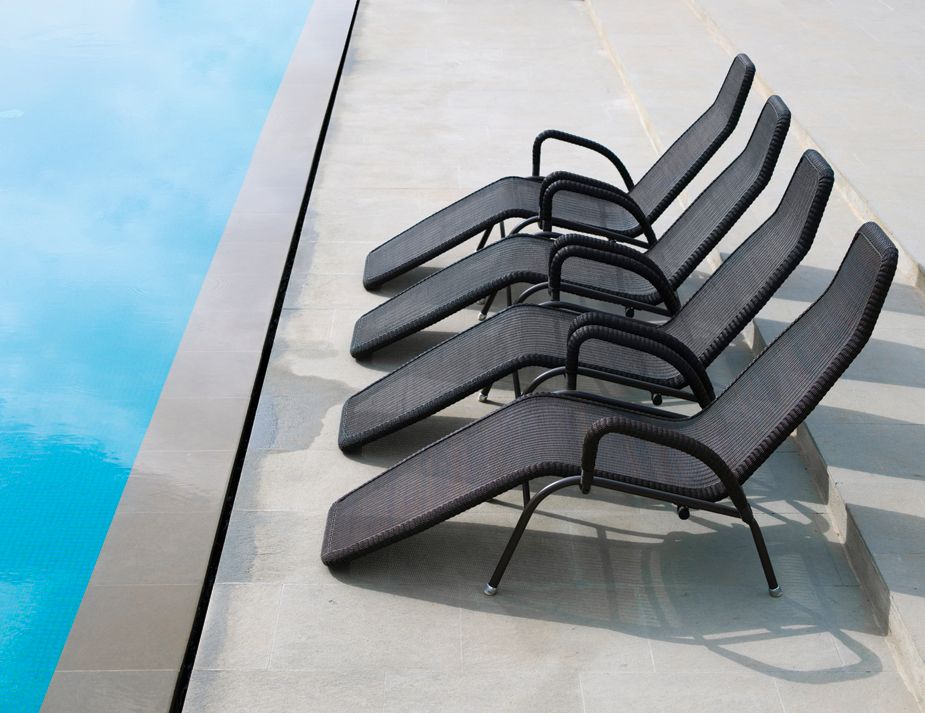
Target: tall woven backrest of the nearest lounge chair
{"points": [[785, 382]]}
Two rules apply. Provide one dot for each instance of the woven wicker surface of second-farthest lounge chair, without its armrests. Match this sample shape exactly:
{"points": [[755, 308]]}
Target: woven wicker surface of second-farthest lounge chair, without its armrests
{"points": [[524, 259]]}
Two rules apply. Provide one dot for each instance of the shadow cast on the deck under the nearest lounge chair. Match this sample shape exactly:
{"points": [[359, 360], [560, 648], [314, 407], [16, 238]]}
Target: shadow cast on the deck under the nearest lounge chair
{"points": [[643, 573]]}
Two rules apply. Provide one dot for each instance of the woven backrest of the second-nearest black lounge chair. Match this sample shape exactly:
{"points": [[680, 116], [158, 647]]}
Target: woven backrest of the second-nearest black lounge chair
{"points": [[743, 284]]}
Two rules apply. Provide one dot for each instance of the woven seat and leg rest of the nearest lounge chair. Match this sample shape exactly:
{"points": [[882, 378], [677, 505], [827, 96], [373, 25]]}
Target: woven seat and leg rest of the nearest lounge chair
{"points": [[537, 435]]}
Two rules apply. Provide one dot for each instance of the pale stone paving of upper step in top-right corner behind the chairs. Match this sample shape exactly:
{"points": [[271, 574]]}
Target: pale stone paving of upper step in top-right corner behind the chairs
{"points": [[852, 69]]}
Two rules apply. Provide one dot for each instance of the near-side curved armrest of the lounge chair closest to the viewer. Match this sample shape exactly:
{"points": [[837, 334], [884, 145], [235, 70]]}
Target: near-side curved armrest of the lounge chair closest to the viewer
{"points": [[647, 430]]}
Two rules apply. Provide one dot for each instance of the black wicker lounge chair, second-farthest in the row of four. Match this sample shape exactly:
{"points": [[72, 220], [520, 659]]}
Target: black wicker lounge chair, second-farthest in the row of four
{"points": [[645, 280]]}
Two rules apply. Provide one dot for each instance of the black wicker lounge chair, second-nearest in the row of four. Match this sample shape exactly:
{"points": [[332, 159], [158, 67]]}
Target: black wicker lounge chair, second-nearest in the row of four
{"points": [[660, 358]]}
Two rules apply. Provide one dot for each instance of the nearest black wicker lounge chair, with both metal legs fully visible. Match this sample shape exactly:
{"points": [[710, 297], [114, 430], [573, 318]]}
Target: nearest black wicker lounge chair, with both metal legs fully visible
{"points": [[693, 463]]}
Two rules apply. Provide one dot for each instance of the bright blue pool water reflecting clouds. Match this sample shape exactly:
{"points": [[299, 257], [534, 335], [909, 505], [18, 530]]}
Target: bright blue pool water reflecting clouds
{"points": [[126, 128]]}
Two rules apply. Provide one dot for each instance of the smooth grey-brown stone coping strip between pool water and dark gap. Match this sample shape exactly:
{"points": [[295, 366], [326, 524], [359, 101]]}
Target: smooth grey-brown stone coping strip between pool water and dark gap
{"points": [[131, 633]]}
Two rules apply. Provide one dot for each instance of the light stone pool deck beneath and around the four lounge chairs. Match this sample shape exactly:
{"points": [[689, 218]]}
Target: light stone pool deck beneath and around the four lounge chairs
{"points": [[611, 603]]}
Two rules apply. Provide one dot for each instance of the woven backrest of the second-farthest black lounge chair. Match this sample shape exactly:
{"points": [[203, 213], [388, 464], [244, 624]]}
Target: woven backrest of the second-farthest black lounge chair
{"points": [[713, 213]]}
